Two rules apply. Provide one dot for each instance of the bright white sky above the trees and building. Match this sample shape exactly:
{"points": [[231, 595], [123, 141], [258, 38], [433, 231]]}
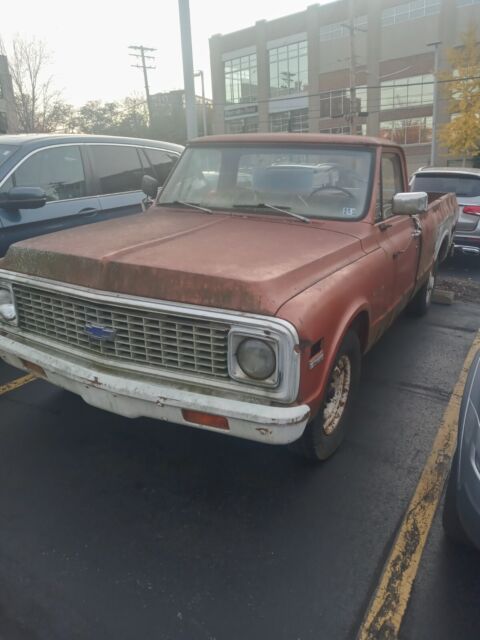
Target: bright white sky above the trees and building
{"points": [[88, 40]]}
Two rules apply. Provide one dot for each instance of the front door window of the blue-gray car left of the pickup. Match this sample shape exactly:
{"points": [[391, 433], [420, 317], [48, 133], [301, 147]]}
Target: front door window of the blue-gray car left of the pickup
{"points": [[57, 170]]}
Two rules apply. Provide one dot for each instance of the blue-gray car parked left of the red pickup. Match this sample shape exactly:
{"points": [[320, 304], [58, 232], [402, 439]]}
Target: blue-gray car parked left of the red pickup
{"points": [[54, 182]]}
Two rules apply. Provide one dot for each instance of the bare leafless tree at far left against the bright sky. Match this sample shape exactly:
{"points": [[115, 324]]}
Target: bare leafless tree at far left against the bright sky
{"points": [[40, 108]]}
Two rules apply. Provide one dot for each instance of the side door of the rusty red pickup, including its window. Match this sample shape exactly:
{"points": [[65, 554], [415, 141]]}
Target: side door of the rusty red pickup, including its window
{"points": [[397, 234]]}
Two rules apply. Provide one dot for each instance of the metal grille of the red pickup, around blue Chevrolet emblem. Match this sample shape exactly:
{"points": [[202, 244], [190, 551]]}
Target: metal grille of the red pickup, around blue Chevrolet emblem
{"points": [[155, 338]]}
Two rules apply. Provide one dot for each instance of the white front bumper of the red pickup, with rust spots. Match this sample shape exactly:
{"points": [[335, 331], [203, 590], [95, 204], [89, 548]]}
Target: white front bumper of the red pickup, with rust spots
{"points": [[132, 397]]}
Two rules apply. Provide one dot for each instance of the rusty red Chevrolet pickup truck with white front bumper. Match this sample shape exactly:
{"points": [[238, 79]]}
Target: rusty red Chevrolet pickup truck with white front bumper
{"points": [[243, 299]]}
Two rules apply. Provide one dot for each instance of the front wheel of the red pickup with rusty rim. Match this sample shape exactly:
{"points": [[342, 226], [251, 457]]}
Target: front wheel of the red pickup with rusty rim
{"points": [[316, 443]]}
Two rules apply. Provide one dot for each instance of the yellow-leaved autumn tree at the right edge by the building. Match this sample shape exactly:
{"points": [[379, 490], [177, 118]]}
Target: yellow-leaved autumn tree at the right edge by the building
{"points": [[461, 87]]}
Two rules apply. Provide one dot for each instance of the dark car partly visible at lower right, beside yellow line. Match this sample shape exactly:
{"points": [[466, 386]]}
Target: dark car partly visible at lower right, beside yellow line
{"points": [[461, 512]]}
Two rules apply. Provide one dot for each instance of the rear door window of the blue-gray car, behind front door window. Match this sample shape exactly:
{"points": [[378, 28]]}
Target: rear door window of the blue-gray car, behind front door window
{"points": [[117, 167]]}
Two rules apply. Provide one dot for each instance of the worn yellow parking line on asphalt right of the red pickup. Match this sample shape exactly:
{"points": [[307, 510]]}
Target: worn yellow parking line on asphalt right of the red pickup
{"points": [[390, 600]]}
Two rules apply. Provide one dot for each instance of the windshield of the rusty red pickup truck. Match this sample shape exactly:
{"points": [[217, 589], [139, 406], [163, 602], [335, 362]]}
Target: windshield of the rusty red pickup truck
{"points": [[322, 181]]}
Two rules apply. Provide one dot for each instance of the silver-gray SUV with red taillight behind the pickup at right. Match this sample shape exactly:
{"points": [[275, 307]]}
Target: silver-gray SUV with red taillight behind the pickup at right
{"points": [[465, 183]]}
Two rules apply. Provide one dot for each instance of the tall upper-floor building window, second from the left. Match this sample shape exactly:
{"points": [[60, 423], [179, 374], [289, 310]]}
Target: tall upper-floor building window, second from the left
{"points": [[288, 69]]}
